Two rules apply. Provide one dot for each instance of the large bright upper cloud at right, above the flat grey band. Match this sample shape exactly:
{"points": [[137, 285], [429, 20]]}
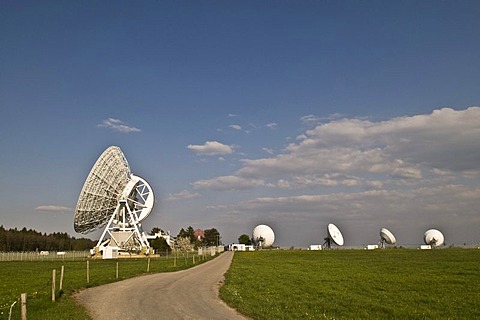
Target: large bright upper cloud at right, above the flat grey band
{"points": [[400, 148]]}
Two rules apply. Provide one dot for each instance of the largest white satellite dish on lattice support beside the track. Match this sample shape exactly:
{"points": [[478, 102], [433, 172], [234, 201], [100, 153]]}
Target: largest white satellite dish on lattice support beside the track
{"points": [[114, 198]]}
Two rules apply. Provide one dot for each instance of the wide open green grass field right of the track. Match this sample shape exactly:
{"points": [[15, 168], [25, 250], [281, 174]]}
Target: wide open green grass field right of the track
{"points": [[355, 284]]}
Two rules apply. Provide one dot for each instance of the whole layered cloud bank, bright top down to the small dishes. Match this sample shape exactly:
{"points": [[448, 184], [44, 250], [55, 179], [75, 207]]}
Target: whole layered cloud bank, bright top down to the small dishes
{"points": [[412, 171]]}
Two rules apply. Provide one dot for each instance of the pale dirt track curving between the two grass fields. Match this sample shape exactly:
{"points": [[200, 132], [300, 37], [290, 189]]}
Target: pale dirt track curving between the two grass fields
{"points": [[187, 294]]}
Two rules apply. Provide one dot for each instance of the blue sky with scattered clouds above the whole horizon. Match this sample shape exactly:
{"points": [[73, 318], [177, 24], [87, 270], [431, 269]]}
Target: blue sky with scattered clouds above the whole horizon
{"points": [[291, 114]]}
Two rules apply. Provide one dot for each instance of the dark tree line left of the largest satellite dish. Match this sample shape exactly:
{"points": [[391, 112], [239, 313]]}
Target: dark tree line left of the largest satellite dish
{"points": [[31, 240]]}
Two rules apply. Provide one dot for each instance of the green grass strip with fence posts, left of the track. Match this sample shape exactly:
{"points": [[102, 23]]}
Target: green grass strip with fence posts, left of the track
{"points": [[35, 279]]}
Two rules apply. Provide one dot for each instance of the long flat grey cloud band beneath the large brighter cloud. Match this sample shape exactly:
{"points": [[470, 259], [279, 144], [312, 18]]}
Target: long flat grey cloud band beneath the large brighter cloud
{"points": [[419, 204]]}
